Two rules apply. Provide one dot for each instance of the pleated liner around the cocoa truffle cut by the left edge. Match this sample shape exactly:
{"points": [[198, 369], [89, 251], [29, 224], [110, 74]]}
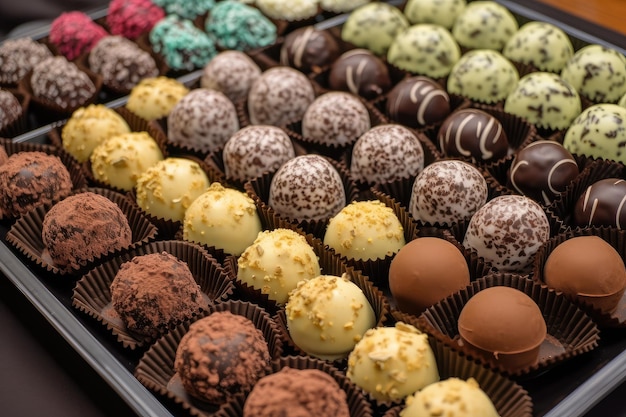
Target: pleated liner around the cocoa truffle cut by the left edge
{"points": [[79, 182]]}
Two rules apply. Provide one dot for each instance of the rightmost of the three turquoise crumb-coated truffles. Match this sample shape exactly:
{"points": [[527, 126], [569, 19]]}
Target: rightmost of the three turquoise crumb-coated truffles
{"points": [[240, 27]]}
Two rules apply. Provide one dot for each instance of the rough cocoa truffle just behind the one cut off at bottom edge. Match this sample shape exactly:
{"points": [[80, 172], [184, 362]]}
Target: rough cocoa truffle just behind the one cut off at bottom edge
{"points": [[221, 354]]}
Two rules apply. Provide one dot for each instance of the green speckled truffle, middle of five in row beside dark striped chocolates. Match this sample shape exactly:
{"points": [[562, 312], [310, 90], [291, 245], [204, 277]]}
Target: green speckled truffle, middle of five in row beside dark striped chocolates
{"points": [[483, 75]]}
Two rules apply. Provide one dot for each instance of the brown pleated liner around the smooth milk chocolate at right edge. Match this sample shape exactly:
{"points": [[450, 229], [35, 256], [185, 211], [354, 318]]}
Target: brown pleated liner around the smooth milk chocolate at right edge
{"points": [[617, 239]]}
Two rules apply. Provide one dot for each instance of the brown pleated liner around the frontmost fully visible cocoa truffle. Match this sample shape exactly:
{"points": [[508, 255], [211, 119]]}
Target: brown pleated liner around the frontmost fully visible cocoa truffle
{"points": [[156, 372]]}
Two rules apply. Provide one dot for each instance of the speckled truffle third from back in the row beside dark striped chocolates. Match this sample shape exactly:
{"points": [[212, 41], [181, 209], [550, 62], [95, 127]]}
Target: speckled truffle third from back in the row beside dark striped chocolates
{"points": [[335, 118]]}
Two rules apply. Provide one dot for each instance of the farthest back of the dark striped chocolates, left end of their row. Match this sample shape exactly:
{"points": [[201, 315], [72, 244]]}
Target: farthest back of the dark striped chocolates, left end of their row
{"points": [[309, 49]]}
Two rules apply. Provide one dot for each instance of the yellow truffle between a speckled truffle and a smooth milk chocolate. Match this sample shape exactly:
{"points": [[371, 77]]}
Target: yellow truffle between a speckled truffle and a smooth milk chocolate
{"points": [[365, 230]]}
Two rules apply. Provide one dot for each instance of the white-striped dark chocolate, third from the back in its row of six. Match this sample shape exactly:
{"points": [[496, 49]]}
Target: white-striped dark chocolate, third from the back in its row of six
{"points": [[417, 101]]}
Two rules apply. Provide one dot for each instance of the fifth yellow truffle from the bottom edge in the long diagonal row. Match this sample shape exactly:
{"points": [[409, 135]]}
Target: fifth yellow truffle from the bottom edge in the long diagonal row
{"points": [[223, 218]]}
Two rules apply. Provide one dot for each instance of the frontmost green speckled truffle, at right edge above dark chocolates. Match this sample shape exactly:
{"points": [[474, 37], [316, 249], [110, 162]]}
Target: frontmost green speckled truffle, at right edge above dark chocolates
{"points": [[599, 131]]}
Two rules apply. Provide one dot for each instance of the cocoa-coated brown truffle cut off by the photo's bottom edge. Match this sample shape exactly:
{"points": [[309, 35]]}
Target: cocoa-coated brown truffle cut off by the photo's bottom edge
{"points": [[297, 392]]}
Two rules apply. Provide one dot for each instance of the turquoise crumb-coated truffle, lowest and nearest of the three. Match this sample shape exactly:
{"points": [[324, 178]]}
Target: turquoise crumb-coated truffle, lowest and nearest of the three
{"points": [[183, 46]]}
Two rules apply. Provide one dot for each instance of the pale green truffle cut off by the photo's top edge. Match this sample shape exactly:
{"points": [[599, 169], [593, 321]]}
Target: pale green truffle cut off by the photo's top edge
{"points": [[441, 12]]}
